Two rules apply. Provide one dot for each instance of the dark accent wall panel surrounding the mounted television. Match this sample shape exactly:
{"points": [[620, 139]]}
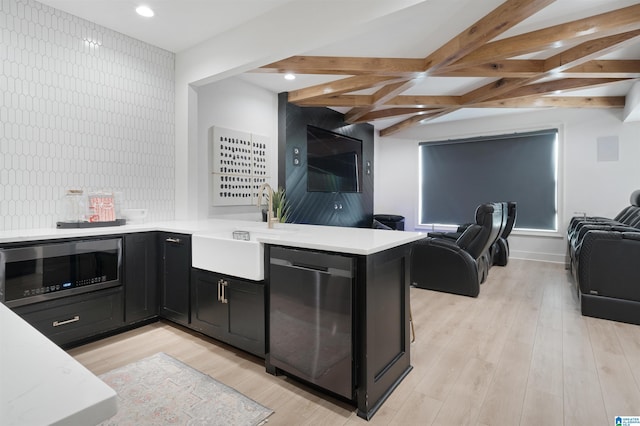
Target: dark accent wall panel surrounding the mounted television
{"points": [[321, 208]]}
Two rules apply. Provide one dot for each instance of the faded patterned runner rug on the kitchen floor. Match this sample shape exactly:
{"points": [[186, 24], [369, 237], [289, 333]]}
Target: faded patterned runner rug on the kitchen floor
{"points": [[160, 390]]}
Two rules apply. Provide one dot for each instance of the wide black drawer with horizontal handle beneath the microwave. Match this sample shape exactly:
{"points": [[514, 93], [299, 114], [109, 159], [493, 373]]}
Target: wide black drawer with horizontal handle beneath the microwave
{"points": [[76, 318]]}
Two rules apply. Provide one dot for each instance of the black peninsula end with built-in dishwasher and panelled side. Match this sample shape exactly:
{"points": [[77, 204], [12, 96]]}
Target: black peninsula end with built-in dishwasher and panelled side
{"points": [[340, 321]]}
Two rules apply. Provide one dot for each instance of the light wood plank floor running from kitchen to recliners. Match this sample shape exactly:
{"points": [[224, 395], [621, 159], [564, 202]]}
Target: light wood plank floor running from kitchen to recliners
{"points": [[520, 353]]}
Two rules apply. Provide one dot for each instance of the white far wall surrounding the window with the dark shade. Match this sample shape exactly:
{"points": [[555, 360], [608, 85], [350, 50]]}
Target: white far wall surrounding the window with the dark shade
{"points": [[597, 188]]}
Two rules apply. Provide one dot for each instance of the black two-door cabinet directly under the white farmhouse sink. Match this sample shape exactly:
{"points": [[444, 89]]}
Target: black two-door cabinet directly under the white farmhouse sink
{"points": [[229, 309]]}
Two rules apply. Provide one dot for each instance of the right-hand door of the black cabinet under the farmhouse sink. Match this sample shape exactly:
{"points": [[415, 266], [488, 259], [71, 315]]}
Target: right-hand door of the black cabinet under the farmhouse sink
{"points": [[246, 328]]}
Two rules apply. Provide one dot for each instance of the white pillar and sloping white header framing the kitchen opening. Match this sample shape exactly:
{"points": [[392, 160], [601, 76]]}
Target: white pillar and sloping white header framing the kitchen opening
{"points": [[239, 50]]}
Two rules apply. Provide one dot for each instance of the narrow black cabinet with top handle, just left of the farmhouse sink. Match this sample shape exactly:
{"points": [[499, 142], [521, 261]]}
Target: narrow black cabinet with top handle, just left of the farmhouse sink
{"points": [[176, 270]]}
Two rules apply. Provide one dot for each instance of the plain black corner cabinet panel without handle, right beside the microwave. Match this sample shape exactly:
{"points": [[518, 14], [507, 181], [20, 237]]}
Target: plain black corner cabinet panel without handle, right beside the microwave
{"points": [[141, 276]]}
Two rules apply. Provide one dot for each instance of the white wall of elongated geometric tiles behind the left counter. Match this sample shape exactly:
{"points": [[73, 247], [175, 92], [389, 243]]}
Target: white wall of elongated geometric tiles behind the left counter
{"points": [[81, 107]]}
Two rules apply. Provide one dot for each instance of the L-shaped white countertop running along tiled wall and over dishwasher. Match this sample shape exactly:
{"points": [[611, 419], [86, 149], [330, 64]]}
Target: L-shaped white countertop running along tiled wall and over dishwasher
{"points": [[361, 241]]}
